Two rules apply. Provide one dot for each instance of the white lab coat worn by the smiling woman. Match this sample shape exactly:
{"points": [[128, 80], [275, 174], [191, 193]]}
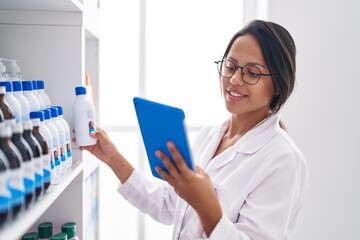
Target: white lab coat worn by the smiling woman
{"points": [[260, 182]]}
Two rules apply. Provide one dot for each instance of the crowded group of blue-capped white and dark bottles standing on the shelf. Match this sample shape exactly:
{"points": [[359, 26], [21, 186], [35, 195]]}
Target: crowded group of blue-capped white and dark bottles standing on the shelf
{"points": [[35, 150]]}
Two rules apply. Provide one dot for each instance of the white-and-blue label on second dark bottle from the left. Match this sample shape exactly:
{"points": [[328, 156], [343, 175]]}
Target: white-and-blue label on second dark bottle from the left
{"points": [[16, 187]]}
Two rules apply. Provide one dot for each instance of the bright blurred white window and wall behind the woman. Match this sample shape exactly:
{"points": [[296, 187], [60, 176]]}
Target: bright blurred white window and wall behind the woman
{"points": [[165, 50]]}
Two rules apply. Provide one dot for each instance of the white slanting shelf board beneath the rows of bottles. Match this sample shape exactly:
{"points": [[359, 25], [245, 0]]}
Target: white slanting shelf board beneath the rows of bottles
{"points": [[17, 227]]}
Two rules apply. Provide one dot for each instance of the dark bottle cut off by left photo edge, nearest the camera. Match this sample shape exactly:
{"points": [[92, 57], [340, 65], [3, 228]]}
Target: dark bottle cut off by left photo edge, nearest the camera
{"points": [[5, 195]]}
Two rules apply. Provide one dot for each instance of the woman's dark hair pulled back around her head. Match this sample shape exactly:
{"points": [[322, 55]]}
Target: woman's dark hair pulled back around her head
{"points": [[279, 51]]}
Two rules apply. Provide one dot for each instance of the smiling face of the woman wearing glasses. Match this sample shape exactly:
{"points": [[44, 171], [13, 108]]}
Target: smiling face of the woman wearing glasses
{"points": [[241, 98]]}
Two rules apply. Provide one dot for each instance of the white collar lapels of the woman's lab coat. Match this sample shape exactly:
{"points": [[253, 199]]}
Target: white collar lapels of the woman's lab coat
{"points": [[248, 144]]}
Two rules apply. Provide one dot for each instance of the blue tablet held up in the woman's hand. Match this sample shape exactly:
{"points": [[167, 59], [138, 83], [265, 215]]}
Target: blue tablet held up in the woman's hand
{"points": [[158, 124]]}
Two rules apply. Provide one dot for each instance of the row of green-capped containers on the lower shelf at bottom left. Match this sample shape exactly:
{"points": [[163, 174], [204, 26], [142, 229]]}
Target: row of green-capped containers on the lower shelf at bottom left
{"points": [[45, 231]]}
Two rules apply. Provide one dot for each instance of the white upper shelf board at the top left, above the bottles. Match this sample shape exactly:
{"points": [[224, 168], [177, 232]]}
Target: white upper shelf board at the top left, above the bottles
{"points": [[52, 13]]}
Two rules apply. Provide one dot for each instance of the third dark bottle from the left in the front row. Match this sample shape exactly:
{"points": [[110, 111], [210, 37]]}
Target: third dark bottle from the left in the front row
{"points": [[27, 163]]}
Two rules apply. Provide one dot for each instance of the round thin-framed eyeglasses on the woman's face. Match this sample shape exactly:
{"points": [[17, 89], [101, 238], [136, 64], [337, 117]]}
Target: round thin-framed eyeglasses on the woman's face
{"points": [[250, 74]]}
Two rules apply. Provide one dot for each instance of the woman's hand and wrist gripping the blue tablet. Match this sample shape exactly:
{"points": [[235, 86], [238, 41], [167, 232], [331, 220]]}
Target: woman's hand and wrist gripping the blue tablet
{"points": [[195, 187]]}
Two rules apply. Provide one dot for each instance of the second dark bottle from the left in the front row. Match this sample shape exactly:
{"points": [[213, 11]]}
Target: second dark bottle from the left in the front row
{"points": [[16, 181]]}
